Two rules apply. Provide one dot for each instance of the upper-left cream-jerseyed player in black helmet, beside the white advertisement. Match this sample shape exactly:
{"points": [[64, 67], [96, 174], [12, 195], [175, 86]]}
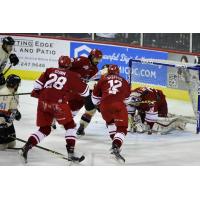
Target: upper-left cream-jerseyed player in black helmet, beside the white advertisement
{"points": [[5, 55]]}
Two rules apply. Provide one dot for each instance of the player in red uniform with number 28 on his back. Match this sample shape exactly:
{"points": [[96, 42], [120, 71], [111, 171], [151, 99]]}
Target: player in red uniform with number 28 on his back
{"points": [[52, 90]]}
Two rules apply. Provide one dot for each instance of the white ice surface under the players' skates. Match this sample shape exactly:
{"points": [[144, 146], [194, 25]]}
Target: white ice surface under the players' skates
{"points": [[179, 148]]}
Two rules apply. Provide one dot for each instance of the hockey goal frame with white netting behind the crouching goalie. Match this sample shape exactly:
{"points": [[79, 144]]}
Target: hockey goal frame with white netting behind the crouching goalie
{"points": [[185, 76]]}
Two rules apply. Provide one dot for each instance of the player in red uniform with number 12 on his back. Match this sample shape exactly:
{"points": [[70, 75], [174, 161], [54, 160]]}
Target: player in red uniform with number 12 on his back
{"points": [[110, 93]]}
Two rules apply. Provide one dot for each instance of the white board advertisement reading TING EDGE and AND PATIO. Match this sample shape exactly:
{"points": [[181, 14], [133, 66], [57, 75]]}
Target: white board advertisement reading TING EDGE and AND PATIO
{"points": [[37, 54]]}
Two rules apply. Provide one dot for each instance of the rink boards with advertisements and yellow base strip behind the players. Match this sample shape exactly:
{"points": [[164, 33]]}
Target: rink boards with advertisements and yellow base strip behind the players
{"points": [[38, 53]]}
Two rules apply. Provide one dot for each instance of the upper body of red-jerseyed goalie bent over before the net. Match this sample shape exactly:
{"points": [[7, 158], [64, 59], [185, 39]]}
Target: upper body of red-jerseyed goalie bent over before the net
{"points": [[150, 103]]}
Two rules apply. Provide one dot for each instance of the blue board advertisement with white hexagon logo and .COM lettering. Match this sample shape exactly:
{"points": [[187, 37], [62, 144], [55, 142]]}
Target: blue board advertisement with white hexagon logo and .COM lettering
{"points": [[121, 55]]}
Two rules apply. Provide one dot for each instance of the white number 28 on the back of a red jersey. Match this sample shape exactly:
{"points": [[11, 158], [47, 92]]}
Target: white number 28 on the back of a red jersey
{"points": [[56, 82]]}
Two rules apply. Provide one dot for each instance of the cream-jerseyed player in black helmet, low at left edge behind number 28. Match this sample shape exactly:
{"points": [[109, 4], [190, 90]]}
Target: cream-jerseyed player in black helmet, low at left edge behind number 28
{"points": [[9, 111]]}
